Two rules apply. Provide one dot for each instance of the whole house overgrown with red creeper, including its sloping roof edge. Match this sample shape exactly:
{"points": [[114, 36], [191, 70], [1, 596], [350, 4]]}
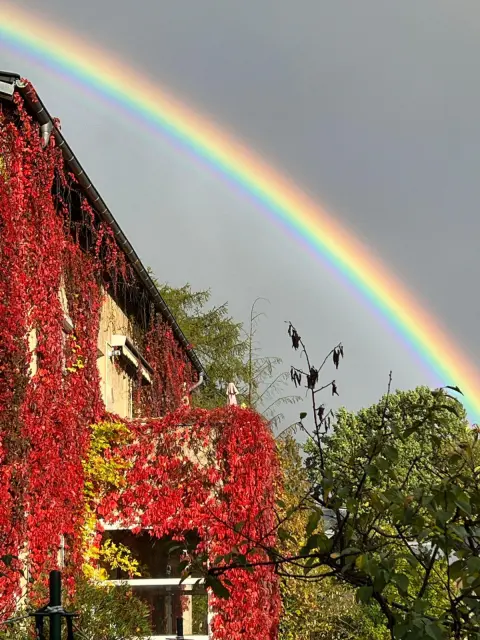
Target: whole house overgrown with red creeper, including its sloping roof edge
{"points": [[85, 338]]}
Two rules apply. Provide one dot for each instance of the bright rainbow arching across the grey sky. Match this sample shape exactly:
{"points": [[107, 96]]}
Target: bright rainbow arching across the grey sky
{"points": [[95, 69]]}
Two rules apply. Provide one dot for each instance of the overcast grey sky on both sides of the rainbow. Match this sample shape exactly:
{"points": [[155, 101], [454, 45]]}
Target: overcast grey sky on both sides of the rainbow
{"points": [[370, 106]]}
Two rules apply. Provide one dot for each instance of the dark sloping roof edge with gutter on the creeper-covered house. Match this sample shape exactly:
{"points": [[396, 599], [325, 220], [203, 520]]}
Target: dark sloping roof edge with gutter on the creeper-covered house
{"points": [[11, 82]]}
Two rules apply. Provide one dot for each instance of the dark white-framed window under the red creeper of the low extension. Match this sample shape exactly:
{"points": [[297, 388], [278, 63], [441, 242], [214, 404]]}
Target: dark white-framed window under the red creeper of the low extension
{"points": [[159, 584]]}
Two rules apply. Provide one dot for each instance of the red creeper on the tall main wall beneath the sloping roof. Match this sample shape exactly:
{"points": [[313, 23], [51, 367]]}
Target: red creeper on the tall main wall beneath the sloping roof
{"points": [[49, 380]]}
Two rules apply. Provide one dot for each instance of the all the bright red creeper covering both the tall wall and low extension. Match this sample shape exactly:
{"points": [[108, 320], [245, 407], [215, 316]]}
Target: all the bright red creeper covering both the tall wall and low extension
{"points": [[50, 239]]}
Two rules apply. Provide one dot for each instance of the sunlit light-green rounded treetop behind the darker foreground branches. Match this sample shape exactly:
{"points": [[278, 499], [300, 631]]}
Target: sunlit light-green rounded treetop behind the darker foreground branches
{"points": [[422, 425]]}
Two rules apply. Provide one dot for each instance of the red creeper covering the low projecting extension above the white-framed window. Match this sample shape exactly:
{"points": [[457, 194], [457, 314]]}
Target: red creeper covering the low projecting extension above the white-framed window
{"points": [[207, 471]]}
